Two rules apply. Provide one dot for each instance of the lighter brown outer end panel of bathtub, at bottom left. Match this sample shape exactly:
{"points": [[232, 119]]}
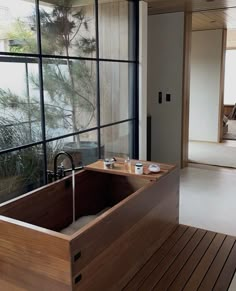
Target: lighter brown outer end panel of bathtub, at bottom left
{"points": [[32, 259]]}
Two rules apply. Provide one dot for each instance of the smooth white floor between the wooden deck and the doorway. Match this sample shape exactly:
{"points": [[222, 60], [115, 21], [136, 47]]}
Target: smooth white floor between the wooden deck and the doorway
{"points": [[208, 198]]}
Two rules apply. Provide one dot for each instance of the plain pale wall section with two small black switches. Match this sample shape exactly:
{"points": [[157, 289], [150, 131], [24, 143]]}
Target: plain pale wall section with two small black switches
{"points": [[165, 73]]}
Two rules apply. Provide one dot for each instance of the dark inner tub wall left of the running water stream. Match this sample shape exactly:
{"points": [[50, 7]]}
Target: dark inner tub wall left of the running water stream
{"points": [[49, 207]]}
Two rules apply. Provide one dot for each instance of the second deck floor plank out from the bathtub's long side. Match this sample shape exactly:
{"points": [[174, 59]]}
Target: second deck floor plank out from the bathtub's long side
{"points": [[164, 265]]}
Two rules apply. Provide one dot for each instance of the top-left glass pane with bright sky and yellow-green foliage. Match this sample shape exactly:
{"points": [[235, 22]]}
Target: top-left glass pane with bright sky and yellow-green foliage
{"points": [[18, 26]]}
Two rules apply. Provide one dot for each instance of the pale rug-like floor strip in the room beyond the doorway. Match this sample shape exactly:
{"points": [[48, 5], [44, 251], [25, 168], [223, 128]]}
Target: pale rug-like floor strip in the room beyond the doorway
{"points": [[216, 154]]}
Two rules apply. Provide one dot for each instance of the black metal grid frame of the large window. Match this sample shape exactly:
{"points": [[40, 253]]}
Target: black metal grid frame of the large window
{"points": [[39, 56]]}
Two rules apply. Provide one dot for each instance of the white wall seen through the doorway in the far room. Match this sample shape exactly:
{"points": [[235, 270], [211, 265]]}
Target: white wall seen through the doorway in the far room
{"points": [[205, 85]]}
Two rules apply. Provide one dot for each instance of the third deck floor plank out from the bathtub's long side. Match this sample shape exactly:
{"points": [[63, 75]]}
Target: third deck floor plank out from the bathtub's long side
{"points": [[178, 264]]}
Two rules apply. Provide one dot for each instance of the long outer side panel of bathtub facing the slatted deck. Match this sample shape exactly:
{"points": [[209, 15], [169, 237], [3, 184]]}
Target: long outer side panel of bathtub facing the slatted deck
{"points": [[139, 225]]}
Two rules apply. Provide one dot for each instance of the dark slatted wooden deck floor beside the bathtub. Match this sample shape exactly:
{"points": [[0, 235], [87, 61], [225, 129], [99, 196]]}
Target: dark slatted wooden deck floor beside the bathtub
{"points": [[190, 259]]}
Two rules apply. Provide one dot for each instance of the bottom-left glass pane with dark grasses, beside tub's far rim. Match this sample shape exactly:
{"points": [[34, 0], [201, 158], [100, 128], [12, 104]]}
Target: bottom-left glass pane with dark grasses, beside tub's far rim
{"points": [[20, 172]]}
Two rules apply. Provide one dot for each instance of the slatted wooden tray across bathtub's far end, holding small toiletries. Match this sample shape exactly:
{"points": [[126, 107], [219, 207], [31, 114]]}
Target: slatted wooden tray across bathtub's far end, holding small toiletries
{"points": [[120, 169]]}
